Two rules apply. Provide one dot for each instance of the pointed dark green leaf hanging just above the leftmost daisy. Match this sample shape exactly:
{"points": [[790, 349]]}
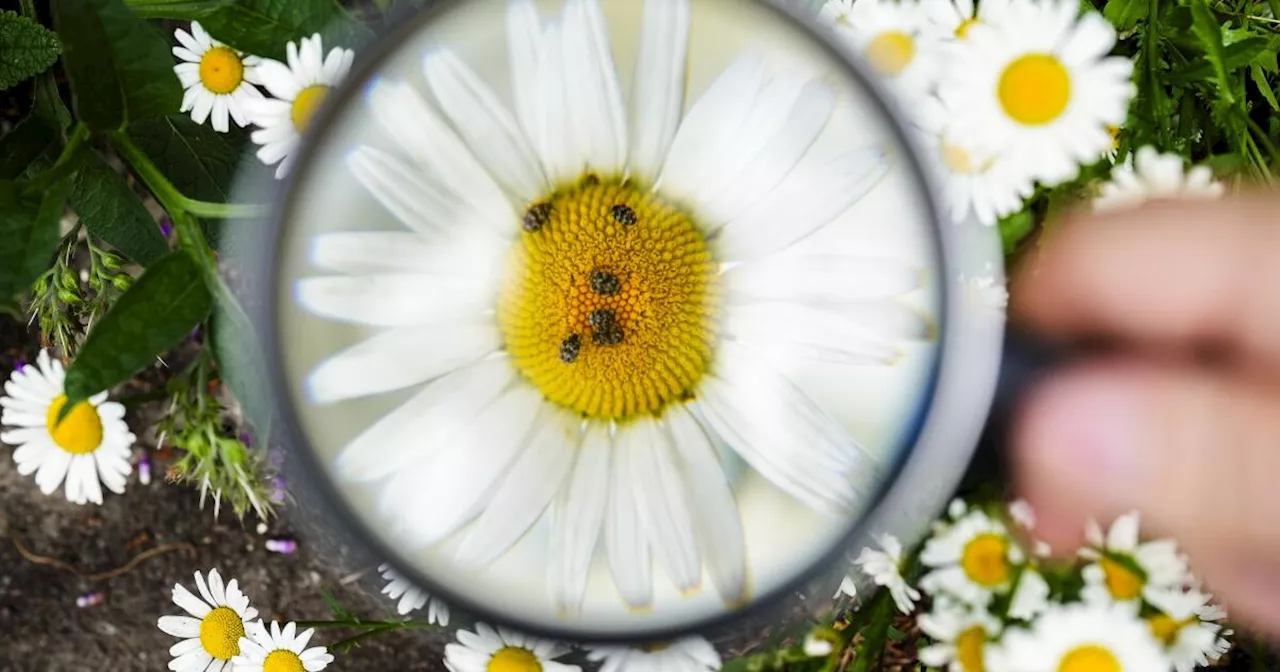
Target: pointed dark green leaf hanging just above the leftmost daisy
{"points": [[162, 308]]}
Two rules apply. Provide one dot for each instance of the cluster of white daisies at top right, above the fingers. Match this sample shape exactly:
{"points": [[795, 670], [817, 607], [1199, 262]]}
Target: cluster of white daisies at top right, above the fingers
{"points": [[1008, 95]]}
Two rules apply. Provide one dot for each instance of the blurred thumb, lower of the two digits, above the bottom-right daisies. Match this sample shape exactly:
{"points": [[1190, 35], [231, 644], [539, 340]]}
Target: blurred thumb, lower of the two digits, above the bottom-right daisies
{"points": [[1197, 452]]}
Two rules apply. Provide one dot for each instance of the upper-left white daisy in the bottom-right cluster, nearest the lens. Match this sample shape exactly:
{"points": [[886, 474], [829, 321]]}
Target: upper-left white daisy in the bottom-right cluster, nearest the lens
{"points": [[973, 559]]}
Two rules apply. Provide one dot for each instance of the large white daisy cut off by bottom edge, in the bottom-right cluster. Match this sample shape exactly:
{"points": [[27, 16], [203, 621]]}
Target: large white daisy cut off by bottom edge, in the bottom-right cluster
{"points": [[1082, 638]]}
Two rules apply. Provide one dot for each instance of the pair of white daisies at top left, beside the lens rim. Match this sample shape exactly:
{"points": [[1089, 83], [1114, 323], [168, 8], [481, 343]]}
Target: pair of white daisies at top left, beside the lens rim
{"points": [[222, 86]]}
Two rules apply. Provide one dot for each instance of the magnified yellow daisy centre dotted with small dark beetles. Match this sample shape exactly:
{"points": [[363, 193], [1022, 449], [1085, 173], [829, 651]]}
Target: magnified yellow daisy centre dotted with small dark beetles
{"points": [[609, 303]]}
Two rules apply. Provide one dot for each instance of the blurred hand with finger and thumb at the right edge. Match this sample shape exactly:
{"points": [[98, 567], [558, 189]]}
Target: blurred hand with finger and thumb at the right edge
{"points": [[1191, 442]]}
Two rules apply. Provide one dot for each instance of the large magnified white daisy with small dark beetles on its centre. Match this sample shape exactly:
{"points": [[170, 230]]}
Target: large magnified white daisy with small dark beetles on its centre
{"points": [[516, 299]]}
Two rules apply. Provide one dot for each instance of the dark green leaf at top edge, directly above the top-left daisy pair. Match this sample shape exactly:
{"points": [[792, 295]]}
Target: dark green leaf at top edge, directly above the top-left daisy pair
{"points": [[264, 28]]}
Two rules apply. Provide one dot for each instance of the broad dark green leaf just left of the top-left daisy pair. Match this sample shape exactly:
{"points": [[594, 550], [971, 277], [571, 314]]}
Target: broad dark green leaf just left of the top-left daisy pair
{"points": [[118, 66]]}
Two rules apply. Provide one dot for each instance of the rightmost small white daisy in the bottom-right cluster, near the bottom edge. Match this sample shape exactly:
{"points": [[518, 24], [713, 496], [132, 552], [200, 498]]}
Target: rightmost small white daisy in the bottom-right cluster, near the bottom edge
{"points": [[1182, 625]]}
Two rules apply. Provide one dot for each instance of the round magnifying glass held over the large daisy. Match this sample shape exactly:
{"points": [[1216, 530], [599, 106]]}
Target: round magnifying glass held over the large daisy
{"points": [[615, 321]]}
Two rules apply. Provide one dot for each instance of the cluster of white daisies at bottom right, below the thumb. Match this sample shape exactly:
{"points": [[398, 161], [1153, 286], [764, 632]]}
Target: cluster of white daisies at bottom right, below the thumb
{"points": [[999, 604]]}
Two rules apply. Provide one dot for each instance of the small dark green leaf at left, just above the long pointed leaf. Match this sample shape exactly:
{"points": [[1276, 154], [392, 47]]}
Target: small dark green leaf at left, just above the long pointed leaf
{"points": [[115, 213]]}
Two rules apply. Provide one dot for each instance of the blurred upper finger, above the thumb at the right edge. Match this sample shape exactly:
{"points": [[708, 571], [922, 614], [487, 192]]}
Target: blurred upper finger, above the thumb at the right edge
{"points": [[1171, 273]]}
